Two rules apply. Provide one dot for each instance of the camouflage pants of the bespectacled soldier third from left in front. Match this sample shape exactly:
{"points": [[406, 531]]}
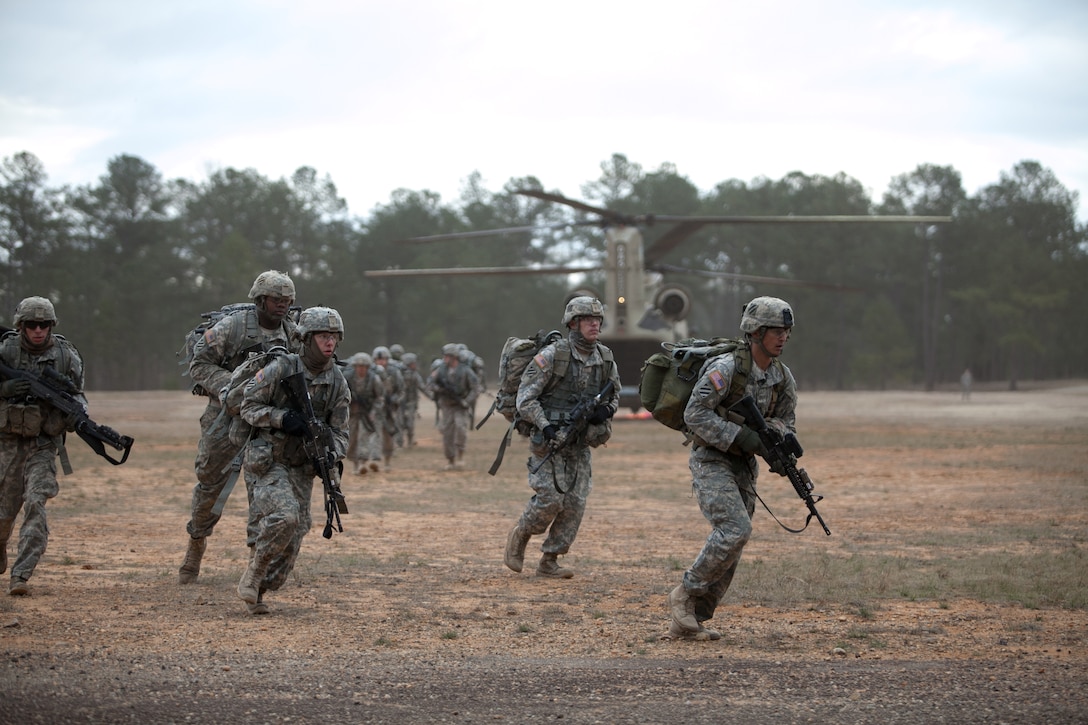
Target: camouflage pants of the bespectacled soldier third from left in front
{"points": [[280, 511]]}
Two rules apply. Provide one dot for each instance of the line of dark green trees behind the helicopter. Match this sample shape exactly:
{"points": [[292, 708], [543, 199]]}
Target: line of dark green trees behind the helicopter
{"points": [[133, 260]]}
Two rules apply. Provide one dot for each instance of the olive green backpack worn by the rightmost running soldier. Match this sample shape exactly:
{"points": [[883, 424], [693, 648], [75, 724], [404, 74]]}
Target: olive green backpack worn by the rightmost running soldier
{"points": [[669, 378]]}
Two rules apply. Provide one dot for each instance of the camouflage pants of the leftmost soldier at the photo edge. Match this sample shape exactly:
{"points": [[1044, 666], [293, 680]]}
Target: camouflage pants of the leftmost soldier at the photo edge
{"points": [[28, 481]]}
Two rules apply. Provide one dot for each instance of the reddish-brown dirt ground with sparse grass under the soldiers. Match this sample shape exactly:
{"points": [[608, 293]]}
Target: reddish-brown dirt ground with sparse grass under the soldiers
{"points": [[410, 615]]}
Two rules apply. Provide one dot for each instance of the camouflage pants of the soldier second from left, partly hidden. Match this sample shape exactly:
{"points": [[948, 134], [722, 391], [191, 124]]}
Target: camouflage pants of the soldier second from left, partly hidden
{"points": [[215, 466]]}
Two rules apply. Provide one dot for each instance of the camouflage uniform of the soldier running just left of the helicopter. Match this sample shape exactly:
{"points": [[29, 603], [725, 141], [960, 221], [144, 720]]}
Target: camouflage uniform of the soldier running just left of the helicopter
{"points": [[545, 400]]}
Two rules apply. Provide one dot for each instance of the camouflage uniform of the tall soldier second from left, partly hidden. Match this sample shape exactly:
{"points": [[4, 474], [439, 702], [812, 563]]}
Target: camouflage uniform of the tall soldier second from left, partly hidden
{"points": [[225, 347]]}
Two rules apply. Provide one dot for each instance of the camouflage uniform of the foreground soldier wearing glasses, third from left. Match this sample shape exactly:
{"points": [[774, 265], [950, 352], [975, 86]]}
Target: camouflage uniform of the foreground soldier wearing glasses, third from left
{"points": [[277, 469]]}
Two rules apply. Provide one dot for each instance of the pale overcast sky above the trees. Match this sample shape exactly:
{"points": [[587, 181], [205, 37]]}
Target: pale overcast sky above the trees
{"points": [[421, 94]]}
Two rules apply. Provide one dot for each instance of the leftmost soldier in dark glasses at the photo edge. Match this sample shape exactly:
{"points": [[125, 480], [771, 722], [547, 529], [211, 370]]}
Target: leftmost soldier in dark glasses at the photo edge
{"points": [[32, 435]]}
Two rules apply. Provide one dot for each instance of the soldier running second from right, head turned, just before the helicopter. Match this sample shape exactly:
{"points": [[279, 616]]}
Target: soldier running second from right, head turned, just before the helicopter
{"points": [[560, 377]]}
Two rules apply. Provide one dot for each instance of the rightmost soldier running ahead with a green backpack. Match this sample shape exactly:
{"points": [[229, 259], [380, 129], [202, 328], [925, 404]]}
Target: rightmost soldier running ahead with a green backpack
{"points": [[723, 457]]}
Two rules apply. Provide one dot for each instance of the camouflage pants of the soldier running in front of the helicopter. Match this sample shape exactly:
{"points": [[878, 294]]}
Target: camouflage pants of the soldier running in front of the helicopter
{"points": [[560, 514]]}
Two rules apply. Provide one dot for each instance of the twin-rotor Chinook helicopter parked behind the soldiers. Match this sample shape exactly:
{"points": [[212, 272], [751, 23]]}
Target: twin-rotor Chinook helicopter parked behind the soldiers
{"points": [[641, 310]]}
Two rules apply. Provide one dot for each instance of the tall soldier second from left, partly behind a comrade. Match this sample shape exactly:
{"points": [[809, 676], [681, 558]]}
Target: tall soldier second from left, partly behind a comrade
{"points": [[225, 347]]}
